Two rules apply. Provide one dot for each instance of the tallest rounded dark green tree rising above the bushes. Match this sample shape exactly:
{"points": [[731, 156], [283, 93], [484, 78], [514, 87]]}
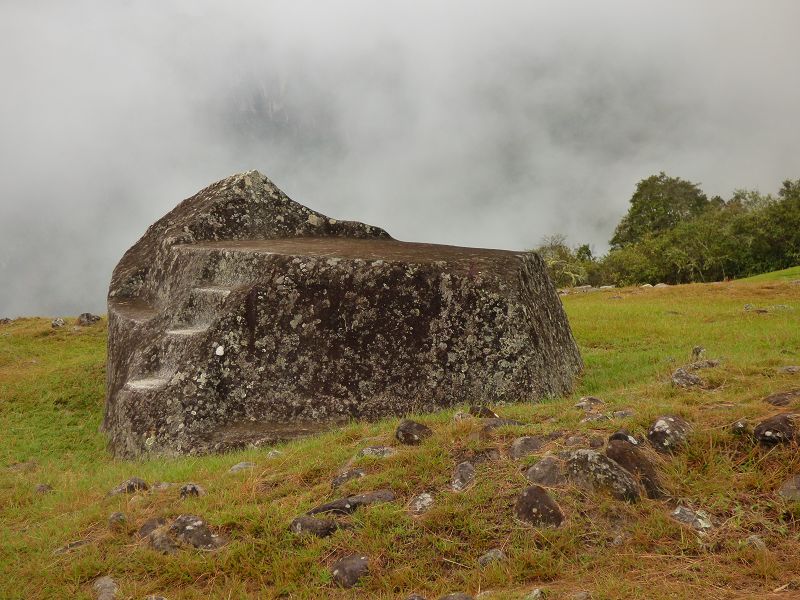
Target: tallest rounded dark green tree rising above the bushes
{"points": [[659, 204]]}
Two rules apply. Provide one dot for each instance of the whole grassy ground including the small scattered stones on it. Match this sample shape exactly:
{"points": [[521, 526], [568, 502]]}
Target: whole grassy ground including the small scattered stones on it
{"points": [[672, 472]]}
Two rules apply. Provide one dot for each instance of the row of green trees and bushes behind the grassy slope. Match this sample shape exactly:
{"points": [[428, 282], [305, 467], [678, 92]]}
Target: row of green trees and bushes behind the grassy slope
{"points": [[673, 233]]}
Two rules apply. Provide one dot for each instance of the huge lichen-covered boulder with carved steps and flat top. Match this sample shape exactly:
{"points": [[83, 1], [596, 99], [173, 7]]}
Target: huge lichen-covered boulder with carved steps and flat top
{"points": [[243, 317]]}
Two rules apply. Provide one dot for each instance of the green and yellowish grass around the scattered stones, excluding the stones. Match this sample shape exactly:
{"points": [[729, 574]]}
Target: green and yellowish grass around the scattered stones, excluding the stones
{"points": [[51, 402]]}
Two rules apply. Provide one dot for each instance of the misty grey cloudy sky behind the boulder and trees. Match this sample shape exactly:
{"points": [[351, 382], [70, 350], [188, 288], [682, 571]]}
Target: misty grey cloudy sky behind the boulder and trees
{"points": [[472, 123]]}
